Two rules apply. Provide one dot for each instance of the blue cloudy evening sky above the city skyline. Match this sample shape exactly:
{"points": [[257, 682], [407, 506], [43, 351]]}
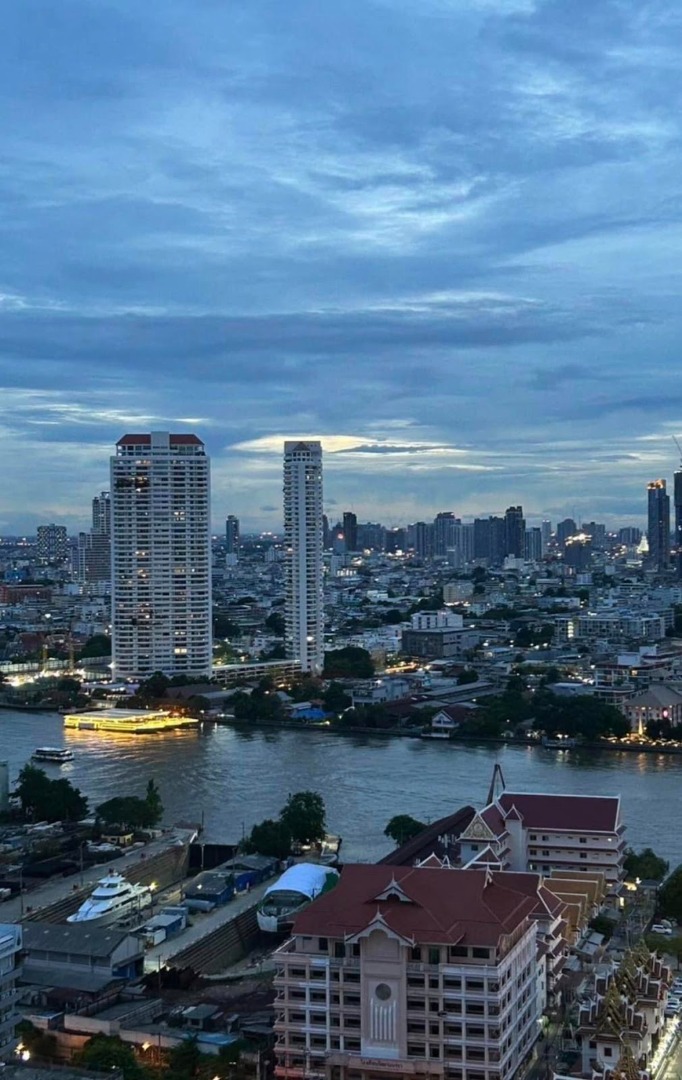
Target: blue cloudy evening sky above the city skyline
{"points": [[445, 237]]}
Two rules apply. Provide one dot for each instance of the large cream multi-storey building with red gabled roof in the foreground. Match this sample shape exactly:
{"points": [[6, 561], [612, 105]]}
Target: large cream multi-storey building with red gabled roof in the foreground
{"points": [[405, 970]]}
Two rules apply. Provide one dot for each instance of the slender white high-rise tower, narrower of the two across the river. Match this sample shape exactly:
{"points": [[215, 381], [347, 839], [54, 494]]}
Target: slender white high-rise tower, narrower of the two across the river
{"points": [[304, 612]]}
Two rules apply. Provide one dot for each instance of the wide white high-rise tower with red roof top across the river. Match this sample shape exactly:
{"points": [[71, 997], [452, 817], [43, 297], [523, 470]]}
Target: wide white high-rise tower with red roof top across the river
{"points": [[161, 557]]}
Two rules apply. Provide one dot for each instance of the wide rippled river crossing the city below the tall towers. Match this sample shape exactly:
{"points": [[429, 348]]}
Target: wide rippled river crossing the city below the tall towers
{"points": [[237, 778]]}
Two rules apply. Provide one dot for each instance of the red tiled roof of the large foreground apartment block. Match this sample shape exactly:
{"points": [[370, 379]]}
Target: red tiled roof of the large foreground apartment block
{"points": [[447, 907]]}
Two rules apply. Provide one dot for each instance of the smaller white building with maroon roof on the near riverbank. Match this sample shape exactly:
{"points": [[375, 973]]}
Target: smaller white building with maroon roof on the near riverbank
{"points": [[546, 833]]}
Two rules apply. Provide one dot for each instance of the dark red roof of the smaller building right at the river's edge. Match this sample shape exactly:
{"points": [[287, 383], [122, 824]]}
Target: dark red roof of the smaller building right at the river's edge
{"points": [[586, 814]]}
